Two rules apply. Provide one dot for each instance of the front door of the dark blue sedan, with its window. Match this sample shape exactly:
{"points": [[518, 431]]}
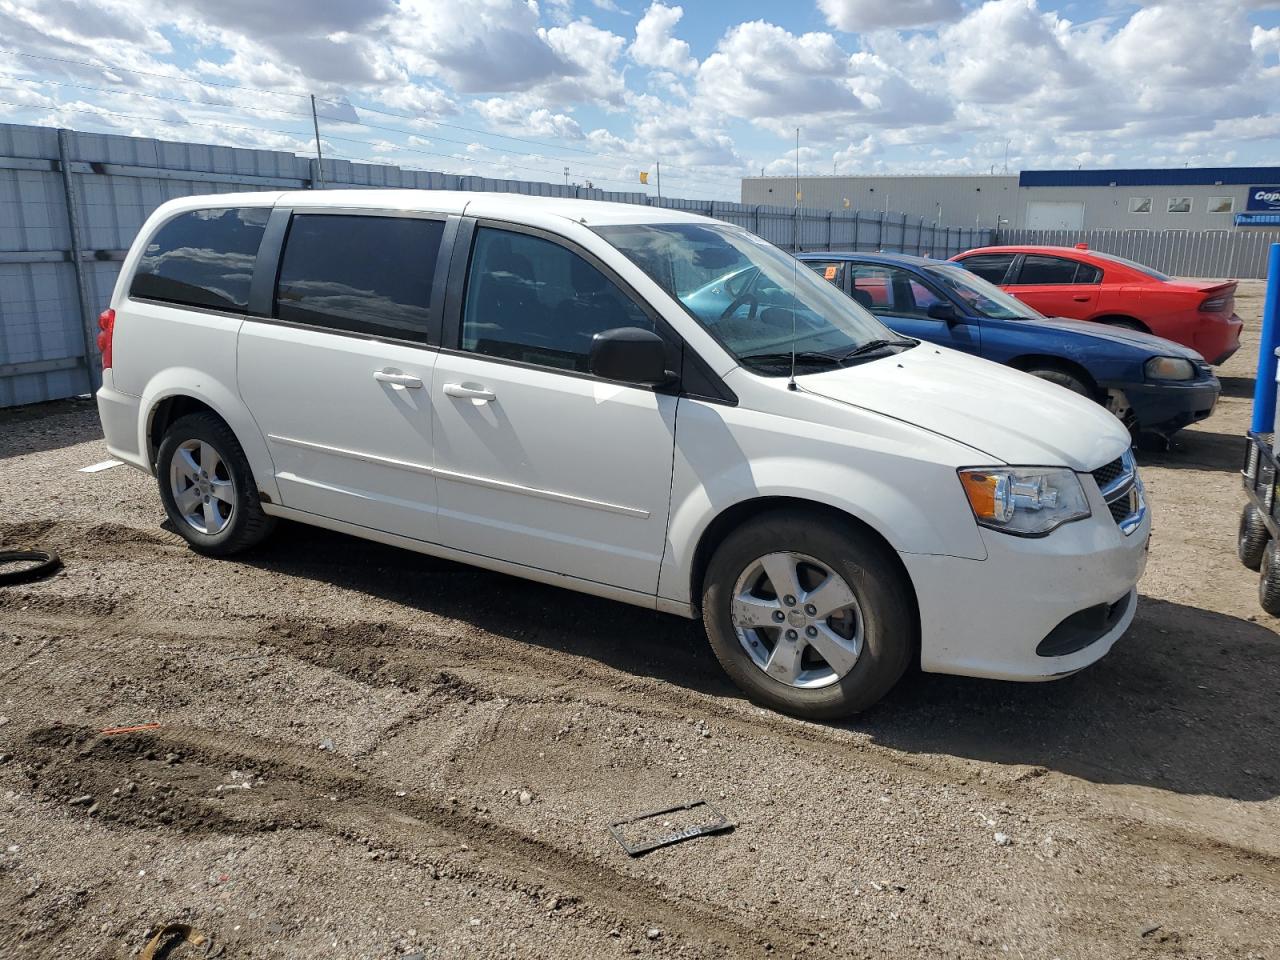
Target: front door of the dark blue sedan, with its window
{"points": [[902, 300]]}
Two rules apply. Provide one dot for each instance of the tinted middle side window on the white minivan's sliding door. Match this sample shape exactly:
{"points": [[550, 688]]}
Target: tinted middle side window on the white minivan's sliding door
{"points": [[363, 275]]}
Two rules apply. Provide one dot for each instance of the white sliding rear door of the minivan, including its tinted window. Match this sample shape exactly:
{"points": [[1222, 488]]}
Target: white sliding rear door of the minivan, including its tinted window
{"points": [[340, 380]]}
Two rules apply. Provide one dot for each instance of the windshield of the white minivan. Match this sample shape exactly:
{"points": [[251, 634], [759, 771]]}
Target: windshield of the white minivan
{"points": [[756, 300]]}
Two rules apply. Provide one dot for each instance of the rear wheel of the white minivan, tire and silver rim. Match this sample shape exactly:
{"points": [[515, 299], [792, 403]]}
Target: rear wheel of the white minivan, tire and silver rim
{"points": [[208, 488]]}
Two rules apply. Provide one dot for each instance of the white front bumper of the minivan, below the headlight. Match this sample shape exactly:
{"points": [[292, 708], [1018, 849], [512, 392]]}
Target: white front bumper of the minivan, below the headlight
{"points": [[986, 619]]}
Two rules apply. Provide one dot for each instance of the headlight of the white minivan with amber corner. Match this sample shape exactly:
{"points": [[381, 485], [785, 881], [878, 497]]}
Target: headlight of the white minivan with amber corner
{"points": [[1025, 501]]}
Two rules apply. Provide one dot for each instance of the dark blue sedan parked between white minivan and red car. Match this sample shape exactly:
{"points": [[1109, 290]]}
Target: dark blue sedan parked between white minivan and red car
{"points": [[1153, 385]]}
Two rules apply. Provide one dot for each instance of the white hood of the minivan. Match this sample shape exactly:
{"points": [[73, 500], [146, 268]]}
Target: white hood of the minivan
{"points": [[1005, 414]]}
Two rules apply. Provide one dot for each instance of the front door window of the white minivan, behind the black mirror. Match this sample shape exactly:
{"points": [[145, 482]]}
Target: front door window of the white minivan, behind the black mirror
{"points": [[538, 303]]}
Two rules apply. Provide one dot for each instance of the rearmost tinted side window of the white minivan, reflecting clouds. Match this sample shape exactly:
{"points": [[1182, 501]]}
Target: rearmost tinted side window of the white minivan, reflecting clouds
{"points": [[203, 259]]}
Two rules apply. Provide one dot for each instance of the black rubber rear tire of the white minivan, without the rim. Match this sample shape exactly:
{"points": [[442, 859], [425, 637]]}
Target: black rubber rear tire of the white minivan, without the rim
{"points": [[248, 525]]}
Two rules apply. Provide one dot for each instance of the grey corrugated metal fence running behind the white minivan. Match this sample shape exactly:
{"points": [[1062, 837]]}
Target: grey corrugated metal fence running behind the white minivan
{"points": [[72, 203]]}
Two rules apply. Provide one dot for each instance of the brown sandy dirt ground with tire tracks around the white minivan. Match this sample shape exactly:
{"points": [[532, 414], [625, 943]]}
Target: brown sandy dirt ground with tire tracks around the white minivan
{"points": [[367, 753]]}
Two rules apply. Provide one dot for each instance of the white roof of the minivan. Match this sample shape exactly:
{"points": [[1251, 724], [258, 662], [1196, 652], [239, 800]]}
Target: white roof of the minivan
{"points": [[592, 213]]}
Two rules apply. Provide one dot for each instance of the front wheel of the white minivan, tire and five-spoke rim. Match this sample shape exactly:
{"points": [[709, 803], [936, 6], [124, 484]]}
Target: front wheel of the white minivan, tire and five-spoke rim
{"points": [[808, 616]]}
